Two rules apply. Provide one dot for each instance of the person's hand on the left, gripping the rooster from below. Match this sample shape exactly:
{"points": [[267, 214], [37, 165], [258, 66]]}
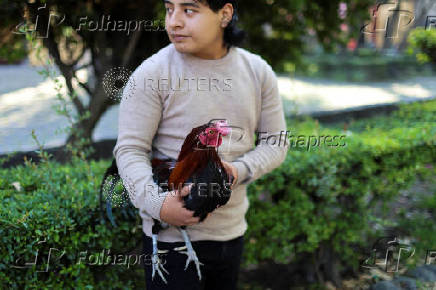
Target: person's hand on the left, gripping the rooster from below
{"points": [[172, 210]]}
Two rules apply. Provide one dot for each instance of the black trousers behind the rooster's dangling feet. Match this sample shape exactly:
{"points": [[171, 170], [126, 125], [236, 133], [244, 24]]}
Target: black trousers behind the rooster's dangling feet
{"points": [[220, 270]]}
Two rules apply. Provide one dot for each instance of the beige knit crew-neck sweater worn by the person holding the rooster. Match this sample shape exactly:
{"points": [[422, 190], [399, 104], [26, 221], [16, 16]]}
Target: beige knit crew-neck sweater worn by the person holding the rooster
{"points": [[169, 94]]}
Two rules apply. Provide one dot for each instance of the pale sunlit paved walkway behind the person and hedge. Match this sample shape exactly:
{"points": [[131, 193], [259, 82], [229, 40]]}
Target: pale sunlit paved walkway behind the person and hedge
{"points": [[26, 101]]}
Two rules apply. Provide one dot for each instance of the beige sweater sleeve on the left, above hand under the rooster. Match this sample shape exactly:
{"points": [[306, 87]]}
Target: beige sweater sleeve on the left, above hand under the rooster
{"points": [[140, 112]]}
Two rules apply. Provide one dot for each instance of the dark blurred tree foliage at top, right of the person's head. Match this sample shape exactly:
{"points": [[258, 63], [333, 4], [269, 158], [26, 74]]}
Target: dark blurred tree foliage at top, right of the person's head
{"points": [[293, 22]]}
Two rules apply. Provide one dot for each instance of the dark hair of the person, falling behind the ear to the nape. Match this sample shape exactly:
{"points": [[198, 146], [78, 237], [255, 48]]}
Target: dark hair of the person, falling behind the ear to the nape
{"points": [[233, 36]]}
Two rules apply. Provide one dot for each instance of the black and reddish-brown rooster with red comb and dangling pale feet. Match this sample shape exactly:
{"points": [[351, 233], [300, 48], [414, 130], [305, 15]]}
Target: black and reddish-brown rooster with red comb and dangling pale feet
{"points": [[198, 163]]}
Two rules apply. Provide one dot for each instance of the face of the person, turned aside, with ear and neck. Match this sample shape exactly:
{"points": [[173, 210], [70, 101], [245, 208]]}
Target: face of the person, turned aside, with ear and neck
{"points": [[201, 29]]}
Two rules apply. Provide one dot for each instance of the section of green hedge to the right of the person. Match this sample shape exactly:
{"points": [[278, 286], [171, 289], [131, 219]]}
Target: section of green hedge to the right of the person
{"points": [[323, 200]]}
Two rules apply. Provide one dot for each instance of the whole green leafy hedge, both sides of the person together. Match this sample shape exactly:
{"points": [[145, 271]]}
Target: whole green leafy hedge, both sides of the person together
{"points": [[319, 201]]}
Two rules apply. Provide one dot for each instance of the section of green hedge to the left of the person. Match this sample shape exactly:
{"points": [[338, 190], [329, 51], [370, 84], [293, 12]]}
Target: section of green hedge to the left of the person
{"points": [[58, 208]]}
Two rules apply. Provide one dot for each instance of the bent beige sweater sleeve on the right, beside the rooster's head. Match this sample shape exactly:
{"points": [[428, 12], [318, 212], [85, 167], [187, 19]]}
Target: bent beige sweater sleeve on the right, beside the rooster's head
{"points": [[270, 151]]}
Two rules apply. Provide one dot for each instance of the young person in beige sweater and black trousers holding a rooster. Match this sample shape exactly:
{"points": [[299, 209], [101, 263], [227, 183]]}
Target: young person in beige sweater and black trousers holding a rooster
{"points": [[201, 75]]}
